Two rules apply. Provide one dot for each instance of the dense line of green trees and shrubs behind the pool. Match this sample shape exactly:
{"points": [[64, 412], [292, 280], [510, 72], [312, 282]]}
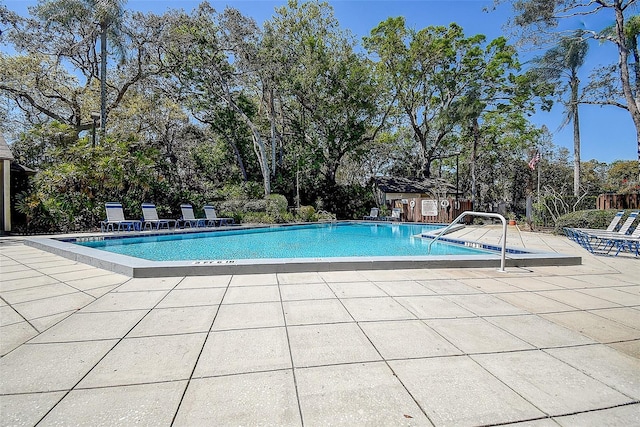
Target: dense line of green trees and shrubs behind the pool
{"points": [[207, 107]]}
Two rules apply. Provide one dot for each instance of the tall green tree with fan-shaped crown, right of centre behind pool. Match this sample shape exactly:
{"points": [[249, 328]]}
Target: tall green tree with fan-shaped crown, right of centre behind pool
{"points": [[441, 80]]}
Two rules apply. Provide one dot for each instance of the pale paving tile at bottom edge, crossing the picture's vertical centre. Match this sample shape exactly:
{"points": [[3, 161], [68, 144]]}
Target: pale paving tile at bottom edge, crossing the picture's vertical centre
{"points": [[358, 394]]}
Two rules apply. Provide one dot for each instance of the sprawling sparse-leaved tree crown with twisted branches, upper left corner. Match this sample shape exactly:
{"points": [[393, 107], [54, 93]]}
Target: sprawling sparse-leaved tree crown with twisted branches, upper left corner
{"points": [[56, 73]]}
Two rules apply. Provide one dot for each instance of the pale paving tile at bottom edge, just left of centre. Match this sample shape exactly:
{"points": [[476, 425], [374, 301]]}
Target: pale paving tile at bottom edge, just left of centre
{"points": [[264, 398]]}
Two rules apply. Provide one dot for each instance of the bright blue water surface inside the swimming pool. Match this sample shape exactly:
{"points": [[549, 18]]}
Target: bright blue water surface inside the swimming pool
{"points": [[304, 241]]}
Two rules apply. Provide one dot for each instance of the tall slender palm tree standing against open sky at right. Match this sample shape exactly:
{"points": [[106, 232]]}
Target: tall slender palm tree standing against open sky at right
{"points": [[561, 64]]}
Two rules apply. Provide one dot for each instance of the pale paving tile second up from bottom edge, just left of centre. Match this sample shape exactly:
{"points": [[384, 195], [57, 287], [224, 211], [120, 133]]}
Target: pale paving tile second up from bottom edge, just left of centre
{"points": [[242, 351]]}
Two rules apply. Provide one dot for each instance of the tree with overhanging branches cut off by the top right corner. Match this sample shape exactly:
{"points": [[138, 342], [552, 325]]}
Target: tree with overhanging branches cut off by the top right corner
{"points": [[539, 16]]}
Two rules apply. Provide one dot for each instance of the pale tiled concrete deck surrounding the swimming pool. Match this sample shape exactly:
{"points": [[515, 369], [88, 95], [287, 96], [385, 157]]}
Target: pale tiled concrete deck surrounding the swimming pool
{"points": [[540, 346]]}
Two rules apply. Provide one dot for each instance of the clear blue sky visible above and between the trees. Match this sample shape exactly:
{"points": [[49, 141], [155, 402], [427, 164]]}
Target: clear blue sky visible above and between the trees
{"points": [[607, 133]]}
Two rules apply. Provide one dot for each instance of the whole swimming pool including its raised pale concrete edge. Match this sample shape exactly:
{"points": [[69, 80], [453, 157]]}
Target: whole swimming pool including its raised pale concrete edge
{"points": [[286, 249]]}
